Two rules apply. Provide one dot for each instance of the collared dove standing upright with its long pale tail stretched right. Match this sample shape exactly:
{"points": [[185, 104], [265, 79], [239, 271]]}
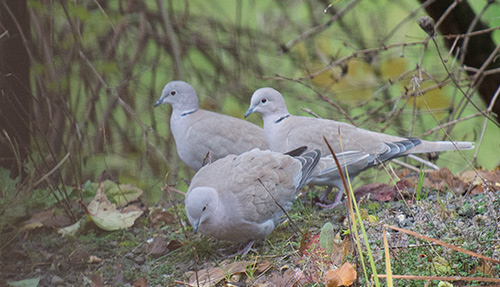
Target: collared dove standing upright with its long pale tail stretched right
{"points": [[361, 148]]}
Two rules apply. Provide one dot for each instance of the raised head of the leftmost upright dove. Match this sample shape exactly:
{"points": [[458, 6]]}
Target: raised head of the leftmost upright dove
{"points": [[180, 95]]}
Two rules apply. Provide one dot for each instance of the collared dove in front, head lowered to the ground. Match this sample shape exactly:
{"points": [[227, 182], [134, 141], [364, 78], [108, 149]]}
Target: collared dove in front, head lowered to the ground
{"points": [[240, 197]]}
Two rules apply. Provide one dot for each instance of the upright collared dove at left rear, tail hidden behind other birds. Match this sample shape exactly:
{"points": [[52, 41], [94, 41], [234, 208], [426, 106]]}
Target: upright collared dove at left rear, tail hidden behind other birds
{"points": [[198, 132]]}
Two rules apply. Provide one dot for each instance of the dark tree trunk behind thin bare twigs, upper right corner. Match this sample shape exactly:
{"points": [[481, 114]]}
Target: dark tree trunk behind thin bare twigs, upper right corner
{"points": [[478, 49]]}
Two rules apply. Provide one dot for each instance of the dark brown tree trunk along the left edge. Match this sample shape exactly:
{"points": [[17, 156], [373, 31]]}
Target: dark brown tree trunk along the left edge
{"points": [[15, 89]]}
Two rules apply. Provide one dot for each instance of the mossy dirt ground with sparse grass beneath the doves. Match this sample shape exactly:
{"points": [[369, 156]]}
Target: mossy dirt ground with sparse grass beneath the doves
{"points": [[161, 250]]}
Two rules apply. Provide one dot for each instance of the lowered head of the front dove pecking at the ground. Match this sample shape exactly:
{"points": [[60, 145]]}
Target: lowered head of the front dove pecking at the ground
{"points": [[201, 203]]}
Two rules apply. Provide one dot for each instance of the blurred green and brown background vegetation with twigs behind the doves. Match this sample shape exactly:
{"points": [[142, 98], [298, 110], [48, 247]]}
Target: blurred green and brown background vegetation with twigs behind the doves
{"points": [[97, 67]]}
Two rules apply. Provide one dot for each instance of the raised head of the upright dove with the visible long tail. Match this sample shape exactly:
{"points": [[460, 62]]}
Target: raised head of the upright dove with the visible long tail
{"points": [[267, 102]]}
